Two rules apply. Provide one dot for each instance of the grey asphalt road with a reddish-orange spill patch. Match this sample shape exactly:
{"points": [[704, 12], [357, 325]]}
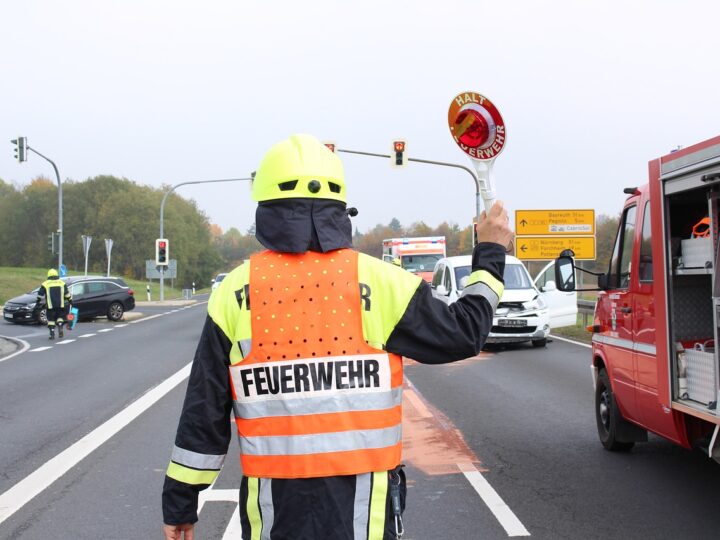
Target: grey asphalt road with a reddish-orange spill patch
{"points": [[499, 445]]}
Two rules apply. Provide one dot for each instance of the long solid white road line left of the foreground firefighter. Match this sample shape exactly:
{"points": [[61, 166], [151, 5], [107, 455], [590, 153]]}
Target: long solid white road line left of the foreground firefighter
{"points": [[35, 483]]}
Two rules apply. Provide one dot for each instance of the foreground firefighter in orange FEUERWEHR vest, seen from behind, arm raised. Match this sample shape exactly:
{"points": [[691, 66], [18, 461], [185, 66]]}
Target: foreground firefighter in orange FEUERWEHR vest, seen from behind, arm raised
{"points": [[304, 344]]}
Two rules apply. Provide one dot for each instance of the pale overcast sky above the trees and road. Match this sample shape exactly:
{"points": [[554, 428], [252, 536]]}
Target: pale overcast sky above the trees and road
{"points": [[172, 91]]}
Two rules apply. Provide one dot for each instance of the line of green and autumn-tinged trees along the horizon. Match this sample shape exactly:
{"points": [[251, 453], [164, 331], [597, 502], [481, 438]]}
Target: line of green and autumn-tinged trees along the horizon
{"points": [[118, 208]]}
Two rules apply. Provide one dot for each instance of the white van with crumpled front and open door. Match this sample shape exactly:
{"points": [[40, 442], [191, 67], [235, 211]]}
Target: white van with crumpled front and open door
{"points": [[527, 310]]}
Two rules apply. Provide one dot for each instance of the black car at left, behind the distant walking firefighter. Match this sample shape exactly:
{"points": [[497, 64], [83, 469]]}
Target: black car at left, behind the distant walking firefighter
{"points": [[93, 297]]}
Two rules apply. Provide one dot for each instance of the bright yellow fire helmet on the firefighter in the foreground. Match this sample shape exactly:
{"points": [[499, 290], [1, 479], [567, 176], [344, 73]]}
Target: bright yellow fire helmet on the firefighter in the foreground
{"points": [[300, 166]]}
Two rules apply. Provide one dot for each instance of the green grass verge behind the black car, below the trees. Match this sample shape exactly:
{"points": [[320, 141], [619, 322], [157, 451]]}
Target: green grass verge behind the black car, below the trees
{"points": [[15, 281]]}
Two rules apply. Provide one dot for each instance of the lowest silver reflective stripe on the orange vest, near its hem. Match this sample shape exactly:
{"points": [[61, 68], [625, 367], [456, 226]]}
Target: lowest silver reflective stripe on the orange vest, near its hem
{"points": [[343, 441]]}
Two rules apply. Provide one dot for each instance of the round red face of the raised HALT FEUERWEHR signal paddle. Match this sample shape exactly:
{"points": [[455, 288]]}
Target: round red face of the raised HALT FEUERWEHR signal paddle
{"points": [[476, 125]]}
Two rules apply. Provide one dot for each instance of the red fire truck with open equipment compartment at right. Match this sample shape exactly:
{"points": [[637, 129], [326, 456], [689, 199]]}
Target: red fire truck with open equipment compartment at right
{"points": [[654, 359]]}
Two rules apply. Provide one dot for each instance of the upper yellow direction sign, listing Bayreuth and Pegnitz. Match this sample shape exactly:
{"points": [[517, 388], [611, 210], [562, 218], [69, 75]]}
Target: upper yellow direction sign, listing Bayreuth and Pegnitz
{"points": [[560, 222]]}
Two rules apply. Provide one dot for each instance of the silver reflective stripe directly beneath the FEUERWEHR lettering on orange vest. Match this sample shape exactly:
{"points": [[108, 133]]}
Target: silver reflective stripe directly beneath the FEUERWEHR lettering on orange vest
{"points": [[369, 401]]}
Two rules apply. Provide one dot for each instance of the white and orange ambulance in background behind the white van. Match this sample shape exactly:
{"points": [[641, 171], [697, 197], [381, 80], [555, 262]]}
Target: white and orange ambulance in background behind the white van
{"points": [[416, 255]]}
